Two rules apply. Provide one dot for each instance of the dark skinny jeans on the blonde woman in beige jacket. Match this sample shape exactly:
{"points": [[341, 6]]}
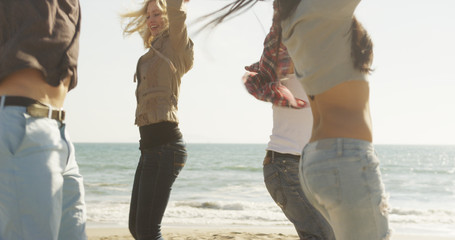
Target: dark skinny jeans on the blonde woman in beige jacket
{"points": [[156, 172]]}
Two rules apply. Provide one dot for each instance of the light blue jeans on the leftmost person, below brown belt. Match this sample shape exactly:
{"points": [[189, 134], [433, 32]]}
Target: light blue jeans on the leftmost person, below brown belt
{"points": [[41, 190]]}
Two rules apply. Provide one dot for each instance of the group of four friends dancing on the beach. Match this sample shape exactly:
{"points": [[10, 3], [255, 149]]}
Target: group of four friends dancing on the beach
{"points": [[320, 165]]}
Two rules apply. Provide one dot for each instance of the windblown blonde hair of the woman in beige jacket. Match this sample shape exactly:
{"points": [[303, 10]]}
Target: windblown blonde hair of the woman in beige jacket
{"points": [[137, 21]]}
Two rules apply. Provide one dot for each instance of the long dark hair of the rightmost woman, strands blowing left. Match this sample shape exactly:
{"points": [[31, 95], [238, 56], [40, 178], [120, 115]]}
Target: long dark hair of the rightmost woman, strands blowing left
{"points": [[361, 44]]}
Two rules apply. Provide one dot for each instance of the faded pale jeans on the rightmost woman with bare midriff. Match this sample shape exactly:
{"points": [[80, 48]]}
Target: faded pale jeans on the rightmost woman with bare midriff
{"points": [[341, 178]]}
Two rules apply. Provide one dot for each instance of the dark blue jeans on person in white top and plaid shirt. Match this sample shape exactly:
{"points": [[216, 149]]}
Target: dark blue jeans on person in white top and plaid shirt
{"points": [[281, 177]]}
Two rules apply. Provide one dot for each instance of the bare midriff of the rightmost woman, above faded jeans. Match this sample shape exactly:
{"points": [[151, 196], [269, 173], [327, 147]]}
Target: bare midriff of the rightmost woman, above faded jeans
{"points": [[342, 112]]}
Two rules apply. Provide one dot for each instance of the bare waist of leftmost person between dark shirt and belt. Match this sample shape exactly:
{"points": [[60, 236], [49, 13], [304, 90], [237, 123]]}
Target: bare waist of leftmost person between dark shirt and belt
{"points": [[30, 83]]}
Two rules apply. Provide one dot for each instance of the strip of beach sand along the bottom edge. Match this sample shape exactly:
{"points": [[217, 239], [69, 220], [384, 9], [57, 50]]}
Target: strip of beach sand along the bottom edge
{"points": [[224, 233]]}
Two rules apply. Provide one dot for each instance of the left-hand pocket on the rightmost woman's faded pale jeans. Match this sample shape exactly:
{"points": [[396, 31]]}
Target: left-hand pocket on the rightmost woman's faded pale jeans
{"points": [[325, 186]]}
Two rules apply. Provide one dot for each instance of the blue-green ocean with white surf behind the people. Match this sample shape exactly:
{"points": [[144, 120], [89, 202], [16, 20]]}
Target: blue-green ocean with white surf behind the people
{"points": [[222, 185]]}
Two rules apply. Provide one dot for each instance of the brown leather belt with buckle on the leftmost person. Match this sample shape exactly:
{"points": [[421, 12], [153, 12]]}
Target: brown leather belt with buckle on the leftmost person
{"points": [[35, 108]]}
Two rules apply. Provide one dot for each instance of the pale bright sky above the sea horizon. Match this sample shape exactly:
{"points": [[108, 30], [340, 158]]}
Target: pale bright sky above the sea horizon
{"points": [[412, 87]]}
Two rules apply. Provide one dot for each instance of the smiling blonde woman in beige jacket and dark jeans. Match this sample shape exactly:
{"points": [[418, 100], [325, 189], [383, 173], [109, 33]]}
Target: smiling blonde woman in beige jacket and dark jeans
{"points": [[159, 71]]}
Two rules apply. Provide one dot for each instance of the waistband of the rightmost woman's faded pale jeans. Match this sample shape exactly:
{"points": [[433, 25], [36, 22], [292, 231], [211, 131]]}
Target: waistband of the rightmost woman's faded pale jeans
{"points": [[340, 144]]}
